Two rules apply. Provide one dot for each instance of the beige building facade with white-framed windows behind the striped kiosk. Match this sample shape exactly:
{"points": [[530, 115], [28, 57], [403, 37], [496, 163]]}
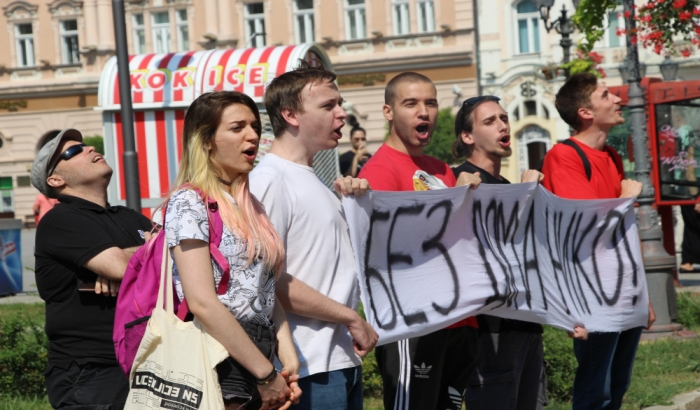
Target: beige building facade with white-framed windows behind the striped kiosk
{"points": [[57, 50]]}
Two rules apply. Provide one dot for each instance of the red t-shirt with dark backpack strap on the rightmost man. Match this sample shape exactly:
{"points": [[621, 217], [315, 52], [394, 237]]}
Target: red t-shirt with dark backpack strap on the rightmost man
{"points": [[565, 176]]}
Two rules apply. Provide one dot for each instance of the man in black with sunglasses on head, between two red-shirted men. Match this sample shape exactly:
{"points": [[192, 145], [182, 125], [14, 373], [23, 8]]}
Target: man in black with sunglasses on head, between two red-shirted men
{"points": [[509, 366]]}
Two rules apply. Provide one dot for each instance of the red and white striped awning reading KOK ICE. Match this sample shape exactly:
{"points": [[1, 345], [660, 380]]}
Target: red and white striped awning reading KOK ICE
{"points": [[176, 79]]}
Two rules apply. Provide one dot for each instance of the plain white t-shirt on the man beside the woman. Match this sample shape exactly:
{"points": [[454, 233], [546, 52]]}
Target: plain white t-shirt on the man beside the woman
{"points": [[310, 221]]}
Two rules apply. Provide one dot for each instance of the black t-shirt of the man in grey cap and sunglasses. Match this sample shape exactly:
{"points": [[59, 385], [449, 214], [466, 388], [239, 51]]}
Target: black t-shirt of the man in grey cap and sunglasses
{"points": [[79, 324]]}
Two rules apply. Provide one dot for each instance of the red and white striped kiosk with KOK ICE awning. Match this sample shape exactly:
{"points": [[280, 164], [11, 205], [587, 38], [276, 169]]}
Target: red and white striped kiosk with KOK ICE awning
{"points": [[164, 85]]}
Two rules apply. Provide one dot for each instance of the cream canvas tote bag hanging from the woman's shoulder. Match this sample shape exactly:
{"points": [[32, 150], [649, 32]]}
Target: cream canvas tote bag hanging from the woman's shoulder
{"points": [[175, 366]]}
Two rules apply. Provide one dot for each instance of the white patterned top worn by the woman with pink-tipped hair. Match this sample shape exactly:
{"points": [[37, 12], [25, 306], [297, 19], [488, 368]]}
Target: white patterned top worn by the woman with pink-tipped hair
{"points": [[251, 291]]}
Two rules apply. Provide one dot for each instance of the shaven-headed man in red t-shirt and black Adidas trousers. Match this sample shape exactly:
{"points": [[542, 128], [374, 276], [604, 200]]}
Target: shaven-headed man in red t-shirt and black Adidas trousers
{"points": [[428, 372]]}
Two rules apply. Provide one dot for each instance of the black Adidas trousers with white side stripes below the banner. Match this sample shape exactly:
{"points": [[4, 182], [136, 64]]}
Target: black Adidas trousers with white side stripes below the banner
{"points": [[428, 372]]}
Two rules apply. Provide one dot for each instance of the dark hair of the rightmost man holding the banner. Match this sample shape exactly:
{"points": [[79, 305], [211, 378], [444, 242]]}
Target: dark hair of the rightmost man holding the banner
{"points": [[575, 94]]}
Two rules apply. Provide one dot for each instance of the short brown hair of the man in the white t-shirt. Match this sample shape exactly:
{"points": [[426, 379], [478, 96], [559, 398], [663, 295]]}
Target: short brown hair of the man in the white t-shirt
{"points": [[284, 92]]}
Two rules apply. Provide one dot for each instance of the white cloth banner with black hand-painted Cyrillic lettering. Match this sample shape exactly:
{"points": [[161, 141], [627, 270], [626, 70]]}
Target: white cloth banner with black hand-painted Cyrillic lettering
{"points": [[429, 259]]}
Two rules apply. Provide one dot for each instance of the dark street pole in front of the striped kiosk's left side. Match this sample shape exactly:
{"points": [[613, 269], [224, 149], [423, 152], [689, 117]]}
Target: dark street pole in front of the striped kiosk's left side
{"points": [[131, 169]]}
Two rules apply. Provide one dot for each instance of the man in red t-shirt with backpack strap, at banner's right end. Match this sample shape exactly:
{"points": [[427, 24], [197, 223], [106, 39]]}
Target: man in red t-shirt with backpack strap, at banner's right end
{"points": [[604, 360]]}
